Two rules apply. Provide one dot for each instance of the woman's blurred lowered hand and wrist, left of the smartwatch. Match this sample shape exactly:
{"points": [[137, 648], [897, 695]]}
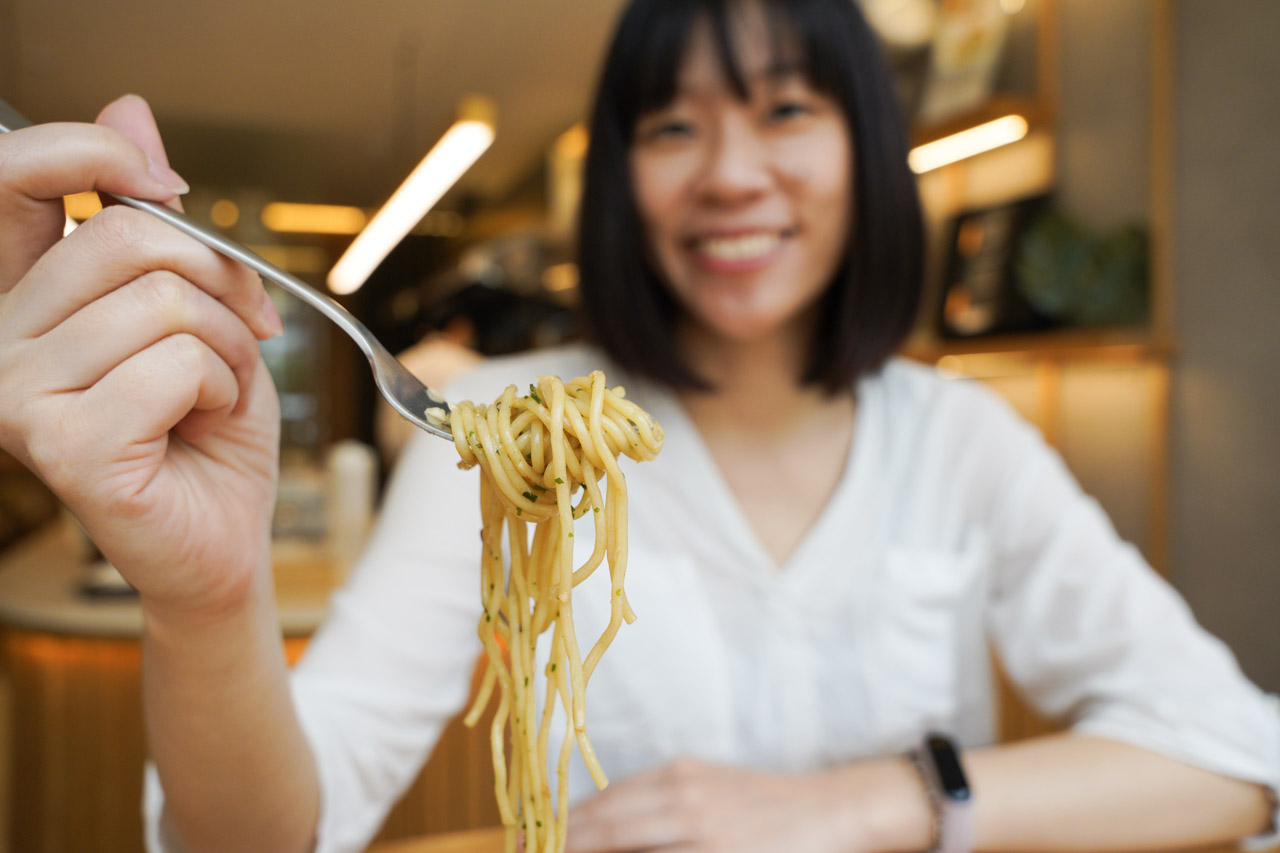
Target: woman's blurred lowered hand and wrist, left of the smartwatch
{"points": [[692, 806]]}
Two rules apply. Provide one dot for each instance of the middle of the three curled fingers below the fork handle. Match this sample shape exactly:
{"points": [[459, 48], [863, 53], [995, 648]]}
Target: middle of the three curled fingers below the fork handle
{"points": [[129, 321]]}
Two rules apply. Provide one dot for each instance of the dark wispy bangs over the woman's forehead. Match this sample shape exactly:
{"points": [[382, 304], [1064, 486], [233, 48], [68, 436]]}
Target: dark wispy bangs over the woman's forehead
{"points": [[661, 40]]}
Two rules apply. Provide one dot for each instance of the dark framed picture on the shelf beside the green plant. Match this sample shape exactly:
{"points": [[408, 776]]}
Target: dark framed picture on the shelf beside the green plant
{"points": [[980, 291]]}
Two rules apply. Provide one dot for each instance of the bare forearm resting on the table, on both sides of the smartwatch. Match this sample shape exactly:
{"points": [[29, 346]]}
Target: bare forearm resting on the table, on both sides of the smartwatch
{"points": [[1059, 793]]}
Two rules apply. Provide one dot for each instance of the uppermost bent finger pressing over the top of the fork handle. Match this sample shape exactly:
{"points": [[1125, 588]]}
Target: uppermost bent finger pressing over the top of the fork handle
{"points": [[42, 165]]}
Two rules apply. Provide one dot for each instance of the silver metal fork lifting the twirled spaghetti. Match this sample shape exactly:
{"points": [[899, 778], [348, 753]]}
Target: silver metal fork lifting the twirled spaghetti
{"points": [[419, 404]]}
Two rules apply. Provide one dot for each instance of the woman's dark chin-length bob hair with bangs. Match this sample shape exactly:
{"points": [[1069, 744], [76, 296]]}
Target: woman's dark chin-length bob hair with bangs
{"points": [[870, 305]]}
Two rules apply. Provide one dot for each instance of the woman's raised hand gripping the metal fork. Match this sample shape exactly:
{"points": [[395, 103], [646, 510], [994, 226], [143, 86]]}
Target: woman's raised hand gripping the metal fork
{"points": [[130, 368]]}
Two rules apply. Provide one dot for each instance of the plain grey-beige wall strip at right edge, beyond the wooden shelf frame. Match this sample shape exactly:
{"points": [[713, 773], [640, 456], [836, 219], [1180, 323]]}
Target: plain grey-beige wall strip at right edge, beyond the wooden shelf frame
{"points": [[1227, 385]]}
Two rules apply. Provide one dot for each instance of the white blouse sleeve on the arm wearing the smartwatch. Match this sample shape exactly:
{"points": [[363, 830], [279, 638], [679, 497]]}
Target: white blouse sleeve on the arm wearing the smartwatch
{"points": [[1091, 635]]}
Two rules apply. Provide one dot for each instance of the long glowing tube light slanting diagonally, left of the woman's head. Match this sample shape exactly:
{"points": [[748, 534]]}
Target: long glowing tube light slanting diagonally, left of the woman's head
{"points": [[460, 147]]}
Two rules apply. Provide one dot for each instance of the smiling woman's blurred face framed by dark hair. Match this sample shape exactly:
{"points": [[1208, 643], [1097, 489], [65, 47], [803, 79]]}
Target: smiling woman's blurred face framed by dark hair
{"points": [[746, 206]]}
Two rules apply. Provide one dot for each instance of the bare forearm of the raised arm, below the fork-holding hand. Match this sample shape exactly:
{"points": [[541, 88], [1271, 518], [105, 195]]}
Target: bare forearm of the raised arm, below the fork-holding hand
{"points": [[222, 728]]}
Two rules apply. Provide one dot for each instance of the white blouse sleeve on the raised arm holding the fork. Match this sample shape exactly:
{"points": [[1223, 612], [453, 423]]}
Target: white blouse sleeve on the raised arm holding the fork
{"points": [[395, 658]]}
